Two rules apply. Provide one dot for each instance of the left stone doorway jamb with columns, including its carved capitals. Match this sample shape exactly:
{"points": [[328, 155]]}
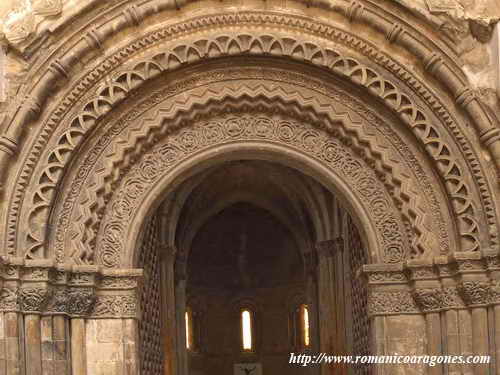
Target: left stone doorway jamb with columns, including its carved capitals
{"points": [[37, 300]]}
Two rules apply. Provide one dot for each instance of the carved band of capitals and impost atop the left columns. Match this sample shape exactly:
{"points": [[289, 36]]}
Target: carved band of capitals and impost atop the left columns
{"points": [[40, 287]]}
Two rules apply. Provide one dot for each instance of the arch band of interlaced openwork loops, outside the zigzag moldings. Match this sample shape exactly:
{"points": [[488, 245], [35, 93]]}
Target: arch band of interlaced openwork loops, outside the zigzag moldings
{"points": [[254, 44]]}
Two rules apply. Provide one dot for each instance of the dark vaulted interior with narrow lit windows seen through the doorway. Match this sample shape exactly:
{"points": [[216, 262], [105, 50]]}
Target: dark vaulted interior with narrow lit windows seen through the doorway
{"points": [[247, 237]]}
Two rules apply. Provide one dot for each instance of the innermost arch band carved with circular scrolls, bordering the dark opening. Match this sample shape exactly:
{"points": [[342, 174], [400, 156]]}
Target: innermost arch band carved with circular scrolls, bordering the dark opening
{"points": [[255, 127]]}
